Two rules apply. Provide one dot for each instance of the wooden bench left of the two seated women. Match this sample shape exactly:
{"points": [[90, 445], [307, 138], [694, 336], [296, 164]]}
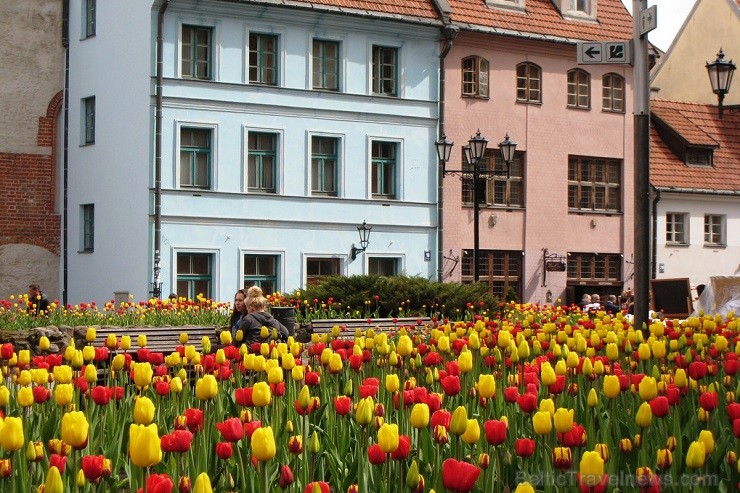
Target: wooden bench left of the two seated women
{"points": [[158, 339]]}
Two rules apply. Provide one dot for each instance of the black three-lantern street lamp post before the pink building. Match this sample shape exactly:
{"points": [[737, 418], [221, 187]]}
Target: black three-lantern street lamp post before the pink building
{"points": [[474, 152]]}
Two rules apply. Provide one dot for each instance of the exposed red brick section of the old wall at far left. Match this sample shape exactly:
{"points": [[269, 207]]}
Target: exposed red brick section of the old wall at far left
{"points": [[28, 191]]}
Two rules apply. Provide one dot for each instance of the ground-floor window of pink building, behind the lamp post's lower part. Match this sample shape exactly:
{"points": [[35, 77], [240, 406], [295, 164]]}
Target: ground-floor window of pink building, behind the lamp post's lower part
{"points": [[500, 270]]}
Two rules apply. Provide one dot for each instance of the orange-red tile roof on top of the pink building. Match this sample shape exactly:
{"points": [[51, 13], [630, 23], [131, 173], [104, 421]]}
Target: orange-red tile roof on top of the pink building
{"points": [[541, 17]]}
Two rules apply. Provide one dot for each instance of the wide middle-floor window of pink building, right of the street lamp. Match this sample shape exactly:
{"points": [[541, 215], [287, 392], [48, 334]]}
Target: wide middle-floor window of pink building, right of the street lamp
{"points": [[594, 184]]}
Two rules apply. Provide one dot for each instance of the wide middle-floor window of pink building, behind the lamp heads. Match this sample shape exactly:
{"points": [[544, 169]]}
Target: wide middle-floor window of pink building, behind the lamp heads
{"points": [[496, 188]]}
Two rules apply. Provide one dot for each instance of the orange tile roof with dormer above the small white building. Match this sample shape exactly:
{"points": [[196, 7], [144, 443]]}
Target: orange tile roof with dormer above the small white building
{"points": [[698, 124]]}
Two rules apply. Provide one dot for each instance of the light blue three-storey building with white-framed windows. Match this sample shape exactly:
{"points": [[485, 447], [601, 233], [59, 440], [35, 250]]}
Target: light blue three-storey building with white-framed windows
{"points": [[282, 130]]}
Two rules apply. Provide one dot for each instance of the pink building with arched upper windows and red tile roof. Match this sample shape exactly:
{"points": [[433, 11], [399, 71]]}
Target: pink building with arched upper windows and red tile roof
{"points": [[561, 224]]}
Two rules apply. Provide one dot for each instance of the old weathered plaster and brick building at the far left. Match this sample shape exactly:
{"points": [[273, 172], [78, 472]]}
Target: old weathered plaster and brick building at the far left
{"points": [[31, 94]]}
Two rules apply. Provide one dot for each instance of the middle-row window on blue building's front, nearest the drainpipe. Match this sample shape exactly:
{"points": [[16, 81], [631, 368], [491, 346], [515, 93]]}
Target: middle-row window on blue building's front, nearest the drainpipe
{"points": [[195, 157]]}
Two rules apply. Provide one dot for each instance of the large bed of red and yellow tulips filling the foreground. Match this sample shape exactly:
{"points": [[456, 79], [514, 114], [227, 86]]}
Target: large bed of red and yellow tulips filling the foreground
{"points": [[536, 398]]}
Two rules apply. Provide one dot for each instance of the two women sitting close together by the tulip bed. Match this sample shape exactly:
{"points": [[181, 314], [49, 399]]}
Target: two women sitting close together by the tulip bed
{"points": [[250, 315]]}
